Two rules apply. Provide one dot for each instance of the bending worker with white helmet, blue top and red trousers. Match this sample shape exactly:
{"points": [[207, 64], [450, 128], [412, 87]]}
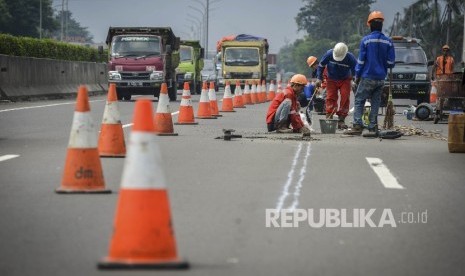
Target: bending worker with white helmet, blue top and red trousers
{"points": [[340, 64]]}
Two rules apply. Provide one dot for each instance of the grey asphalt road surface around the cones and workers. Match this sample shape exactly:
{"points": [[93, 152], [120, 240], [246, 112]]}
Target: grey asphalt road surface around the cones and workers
{"points": [[220, 192]]}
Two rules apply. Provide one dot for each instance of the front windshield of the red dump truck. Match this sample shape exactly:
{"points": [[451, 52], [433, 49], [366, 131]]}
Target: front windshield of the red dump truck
{"points": [[138, 46]]}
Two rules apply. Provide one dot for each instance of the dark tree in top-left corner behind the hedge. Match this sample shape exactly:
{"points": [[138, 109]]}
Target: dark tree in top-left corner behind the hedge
{"points": [[22, 17]]}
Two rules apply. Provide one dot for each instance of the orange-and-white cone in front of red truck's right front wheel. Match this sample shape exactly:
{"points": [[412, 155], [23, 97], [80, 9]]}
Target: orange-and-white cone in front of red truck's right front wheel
{"points": [[163, 118]]}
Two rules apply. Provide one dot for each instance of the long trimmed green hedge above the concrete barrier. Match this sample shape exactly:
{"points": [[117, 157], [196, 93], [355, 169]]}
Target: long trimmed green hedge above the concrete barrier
{"points": [[47, 48]]}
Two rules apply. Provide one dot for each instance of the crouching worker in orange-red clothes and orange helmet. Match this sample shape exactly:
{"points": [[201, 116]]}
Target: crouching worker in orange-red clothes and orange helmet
{"points": [[284, 109]]}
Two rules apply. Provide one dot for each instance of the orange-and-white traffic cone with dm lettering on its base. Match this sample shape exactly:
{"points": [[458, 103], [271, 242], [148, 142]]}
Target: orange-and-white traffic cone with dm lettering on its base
{"points": [[82, 170]]}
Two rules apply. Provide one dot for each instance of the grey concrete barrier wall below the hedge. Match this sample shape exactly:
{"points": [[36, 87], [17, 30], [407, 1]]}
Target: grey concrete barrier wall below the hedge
{"points": [[25, 77]]}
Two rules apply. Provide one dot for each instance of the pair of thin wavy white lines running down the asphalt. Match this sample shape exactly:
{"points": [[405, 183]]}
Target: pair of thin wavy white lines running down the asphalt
{"points": [[290, 176]]}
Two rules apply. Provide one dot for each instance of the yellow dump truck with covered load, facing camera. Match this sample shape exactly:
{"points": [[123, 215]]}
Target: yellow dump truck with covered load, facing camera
{"points": [[244, 58]]}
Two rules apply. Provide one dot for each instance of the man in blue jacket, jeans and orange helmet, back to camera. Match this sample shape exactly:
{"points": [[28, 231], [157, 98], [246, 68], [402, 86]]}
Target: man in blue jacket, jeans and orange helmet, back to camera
{"points": [[376, 56]]}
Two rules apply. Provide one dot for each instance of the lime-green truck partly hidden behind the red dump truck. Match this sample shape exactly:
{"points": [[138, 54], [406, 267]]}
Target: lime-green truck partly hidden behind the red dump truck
{"points": [[191, 56]]}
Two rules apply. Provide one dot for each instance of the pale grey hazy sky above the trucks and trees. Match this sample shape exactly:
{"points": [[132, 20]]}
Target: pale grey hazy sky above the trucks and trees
{"points": [[272, 19]]}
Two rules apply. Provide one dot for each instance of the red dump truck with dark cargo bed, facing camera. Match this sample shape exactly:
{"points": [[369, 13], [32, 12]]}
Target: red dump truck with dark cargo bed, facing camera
{"points": [[141, 59]]}
